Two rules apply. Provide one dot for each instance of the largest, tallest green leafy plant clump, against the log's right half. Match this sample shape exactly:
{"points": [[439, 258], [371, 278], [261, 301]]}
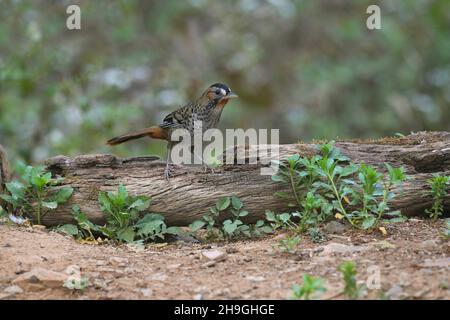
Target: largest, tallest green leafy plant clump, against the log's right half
{"points": [[329, 183]]}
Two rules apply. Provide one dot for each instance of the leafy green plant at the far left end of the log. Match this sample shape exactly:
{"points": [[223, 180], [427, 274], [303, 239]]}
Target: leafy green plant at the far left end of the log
{"points": [[36, 193]]}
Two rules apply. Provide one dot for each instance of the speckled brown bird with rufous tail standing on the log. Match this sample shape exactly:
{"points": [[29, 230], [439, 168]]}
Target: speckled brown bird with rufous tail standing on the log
{"points": [[207, 108]]}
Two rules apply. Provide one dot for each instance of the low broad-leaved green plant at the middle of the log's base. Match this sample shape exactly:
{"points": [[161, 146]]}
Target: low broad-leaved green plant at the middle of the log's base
{"points": [[232, 227]]}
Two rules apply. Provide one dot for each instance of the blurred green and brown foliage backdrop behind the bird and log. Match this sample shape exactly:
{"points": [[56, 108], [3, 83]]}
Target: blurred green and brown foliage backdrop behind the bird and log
{"points": [[310, 68]]}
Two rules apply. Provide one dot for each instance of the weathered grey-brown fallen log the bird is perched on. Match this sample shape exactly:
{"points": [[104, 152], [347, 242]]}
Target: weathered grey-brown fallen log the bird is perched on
{"points": [[191, 191]]}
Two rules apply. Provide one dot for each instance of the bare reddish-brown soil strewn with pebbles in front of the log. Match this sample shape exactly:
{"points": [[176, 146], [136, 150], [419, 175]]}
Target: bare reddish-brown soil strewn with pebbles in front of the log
{"points": [[413, 260]]}
